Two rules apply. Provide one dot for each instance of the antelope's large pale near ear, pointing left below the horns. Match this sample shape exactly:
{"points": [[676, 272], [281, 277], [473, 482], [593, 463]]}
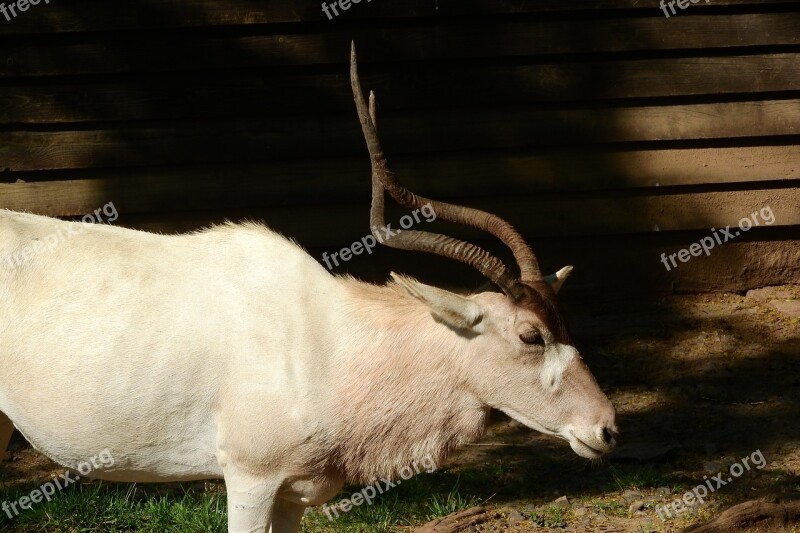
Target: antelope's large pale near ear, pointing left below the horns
{"points": [[452, 309]]}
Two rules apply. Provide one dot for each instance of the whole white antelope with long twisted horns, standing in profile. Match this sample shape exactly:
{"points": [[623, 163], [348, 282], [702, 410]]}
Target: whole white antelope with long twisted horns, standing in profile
{"points": [[230, 353]]}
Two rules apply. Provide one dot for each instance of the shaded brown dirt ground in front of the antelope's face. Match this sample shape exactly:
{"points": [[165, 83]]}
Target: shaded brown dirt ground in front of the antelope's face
{"points": [[699, 381]]}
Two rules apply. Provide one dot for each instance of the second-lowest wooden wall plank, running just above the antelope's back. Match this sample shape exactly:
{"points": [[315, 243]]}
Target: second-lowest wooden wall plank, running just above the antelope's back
{"points": [[548, 215]]}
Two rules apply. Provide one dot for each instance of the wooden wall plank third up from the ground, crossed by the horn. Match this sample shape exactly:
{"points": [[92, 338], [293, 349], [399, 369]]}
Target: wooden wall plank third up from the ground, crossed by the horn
{"points": [[345, 180]]}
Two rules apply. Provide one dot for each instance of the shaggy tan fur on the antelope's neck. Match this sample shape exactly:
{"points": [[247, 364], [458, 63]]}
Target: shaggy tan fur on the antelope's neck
{"points": [[395, 401]]}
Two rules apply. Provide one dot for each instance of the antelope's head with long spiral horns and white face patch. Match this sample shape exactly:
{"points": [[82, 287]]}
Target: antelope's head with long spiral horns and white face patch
{"points": [[524, 362]]}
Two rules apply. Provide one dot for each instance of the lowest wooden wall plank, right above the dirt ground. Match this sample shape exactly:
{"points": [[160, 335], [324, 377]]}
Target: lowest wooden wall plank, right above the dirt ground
{"points": [[756, 259]]}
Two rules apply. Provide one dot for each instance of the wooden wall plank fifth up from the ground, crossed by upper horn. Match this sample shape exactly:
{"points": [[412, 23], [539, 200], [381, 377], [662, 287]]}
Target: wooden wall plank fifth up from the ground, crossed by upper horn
{"points": [[253, 94]]}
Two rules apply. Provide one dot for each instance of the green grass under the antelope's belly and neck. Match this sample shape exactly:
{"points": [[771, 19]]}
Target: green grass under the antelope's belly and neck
{"points": [[109, 507]]}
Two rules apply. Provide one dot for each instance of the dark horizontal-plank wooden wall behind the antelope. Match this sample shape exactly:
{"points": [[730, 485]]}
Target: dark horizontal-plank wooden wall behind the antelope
{"points": [[606, 132]]}
